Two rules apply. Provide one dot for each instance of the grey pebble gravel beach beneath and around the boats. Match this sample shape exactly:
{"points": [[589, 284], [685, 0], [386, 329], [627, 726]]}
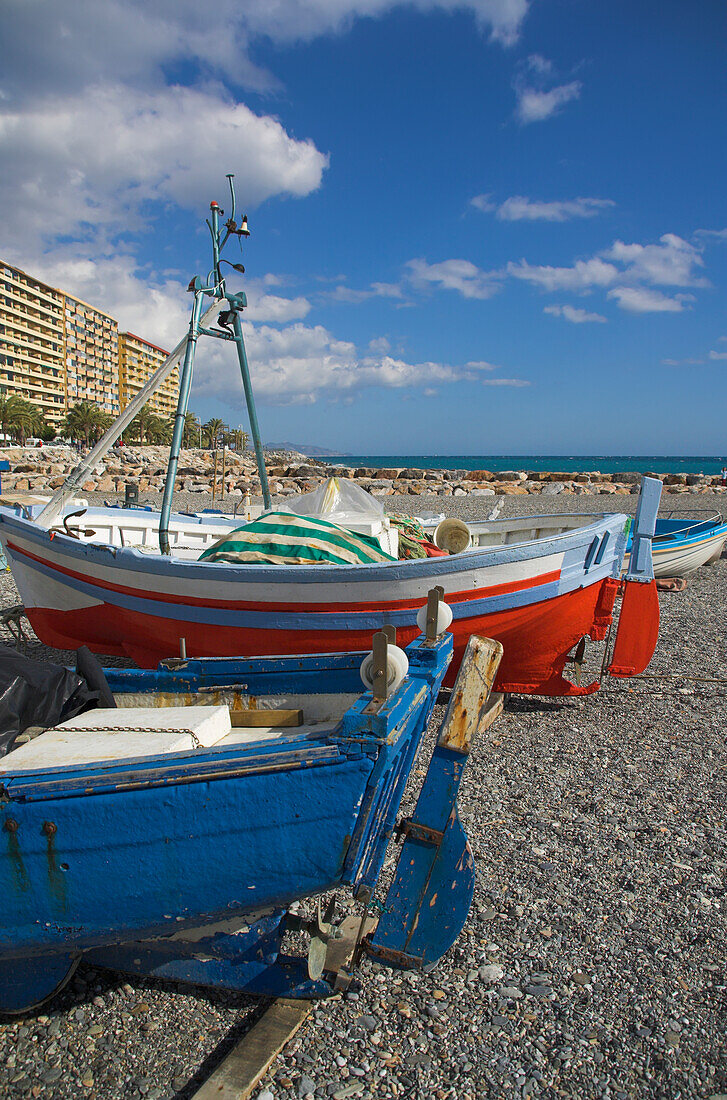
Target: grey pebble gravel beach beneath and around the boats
{"points": [[593, 962]]}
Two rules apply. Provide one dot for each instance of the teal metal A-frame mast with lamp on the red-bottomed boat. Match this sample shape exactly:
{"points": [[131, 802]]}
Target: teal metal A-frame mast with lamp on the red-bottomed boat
{"points": [[230, 329]]}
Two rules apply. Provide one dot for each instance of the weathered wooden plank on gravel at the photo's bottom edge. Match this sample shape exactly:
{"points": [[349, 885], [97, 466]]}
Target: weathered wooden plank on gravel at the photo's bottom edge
{"points": [[238, 1075]]}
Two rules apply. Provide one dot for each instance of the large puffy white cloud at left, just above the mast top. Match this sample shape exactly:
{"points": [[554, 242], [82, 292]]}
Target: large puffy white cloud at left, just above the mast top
{"points": [[95, 161]]}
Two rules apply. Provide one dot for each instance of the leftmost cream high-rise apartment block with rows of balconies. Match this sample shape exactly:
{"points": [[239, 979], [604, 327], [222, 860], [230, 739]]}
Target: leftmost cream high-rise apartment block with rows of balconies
{"points": [[34, 342]]}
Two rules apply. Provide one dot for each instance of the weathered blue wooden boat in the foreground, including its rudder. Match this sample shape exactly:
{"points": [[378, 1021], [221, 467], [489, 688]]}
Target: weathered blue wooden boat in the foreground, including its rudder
{"points": [[184, 865]]}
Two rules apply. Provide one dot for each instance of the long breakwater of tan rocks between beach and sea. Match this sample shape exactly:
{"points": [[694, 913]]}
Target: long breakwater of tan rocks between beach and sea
{"points": [[43, 470]]}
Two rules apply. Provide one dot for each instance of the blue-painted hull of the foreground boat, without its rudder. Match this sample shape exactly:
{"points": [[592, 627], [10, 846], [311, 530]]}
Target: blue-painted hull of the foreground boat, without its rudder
{"points": [[137, 863]]}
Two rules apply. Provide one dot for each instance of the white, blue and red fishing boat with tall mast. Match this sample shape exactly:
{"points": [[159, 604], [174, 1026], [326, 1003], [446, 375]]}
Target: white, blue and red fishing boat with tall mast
{"points": [[128, 581]]}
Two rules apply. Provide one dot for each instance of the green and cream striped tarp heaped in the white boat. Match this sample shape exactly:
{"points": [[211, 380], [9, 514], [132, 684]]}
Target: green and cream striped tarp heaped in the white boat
{"points": [[282, 538]]}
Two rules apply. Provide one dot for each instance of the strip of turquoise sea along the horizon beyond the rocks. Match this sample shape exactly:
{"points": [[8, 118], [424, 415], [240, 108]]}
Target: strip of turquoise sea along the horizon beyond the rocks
{"points": [[565, 464]]}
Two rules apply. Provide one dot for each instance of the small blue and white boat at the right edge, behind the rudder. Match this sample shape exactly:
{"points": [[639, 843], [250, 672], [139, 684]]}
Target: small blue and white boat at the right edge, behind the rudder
{"points": [[682, 545]]}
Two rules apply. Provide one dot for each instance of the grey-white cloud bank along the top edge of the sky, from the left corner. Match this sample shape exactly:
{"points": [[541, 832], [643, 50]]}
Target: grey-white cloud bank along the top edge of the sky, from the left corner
{"points": [[65, 46]]}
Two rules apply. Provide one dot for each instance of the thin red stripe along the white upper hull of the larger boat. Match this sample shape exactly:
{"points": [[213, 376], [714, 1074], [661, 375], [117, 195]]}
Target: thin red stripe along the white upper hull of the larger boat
{"points": [[480, 593]]}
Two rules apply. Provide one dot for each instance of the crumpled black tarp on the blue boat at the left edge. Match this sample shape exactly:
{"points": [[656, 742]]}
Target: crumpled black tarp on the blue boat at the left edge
{"points": [[39, 694]]}
